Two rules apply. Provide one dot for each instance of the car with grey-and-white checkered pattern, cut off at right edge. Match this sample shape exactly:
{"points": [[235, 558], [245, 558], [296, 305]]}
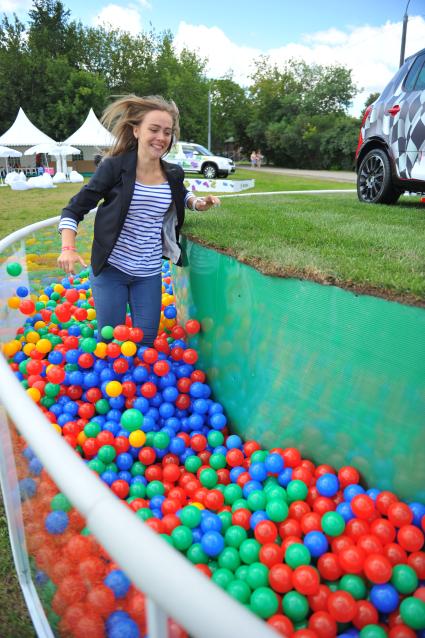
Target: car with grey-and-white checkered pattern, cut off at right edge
{"points": [[390, 156]]}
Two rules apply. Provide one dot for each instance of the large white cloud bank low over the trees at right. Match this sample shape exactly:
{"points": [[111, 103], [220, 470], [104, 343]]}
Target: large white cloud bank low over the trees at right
{"points": [[371, 52]]}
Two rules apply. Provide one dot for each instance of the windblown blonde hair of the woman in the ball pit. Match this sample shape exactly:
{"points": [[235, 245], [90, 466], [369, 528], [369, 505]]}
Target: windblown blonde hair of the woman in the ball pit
{"points": [[122, 115]]}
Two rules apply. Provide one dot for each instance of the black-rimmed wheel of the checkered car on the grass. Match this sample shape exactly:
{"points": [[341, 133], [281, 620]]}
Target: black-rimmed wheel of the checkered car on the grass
{"points": [[374, 180]]}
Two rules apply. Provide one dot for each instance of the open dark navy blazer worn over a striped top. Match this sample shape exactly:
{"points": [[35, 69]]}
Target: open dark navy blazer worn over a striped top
{"points": [[113, 182]]}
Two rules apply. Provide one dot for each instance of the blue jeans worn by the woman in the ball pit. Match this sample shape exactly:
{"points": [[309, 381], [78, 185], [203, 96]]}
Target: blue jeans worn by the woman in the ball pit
{"points": [[113, 289]]}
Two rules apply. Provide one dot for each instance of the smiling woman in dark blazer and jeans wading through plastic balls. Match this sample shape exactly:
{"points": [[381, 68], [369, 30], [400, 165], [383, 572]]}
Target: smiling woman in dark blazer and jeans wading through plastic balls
{"points": [[140, 217]]}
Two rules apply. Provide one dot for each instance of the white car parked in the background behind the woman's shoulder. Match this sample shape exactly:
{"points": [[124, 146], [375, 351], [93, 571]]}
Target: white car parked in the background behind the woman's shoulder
{"points": [[194, 158]]}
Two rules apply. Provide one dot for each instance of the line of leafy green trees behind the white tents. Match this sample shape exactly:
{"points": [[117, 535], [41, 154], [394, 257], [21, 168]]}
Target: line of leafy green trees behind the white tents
{"points": [[56, 68]]}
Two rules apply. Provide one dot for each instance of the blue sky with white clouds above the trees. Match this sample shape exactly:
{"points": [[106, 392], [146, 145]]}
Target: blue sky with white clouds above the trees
{"points": [[364, 35]]}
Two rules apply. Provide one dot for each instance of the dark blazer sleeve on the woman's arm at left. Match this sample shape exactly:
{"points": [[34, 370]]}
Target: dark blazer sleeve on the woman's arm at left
{"points": [[89, 196]]}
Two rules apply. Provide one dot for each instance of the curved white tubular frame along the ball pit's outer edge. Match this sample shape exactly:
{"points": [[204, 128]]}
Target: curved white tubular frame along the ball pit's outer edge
{"points": [[172, 585]]}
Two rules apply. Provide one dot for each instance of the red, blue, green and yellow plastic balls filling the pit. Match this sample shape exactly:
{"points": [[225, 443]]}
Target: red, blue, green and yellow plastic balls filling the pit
{"points": [[308, 549]]}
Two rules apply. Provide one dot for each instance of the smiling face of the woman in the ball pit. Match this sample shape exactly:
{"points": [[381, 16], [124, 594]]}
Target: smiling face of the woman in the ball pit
{"points": [[154, 134]]}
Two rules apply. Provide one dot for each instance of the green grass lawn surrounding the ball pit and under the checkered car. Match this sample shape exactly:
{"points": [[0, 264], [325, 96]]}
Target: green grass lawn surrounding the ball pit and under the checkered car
{"points": [[328, 238]]}
